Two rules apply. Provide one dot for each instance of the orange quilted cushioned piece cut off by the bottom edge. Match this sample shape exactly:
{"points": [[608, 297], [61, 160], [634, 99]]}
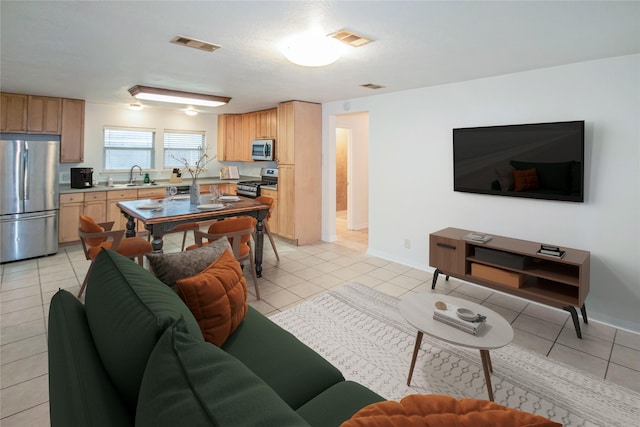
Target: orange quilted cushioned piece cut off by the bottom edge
{"points": [[434, 410]]}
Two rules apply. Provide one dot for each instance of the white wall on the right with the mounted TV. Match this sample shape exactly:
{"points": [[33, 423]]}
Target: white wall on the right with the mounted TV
{"points": [[411, 176]]}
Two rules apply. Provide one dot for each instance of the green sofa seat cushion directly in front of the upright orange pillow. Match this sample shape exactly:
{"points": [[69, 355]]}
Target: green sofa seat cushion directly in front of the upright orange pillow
{"points": [[292, 369]]}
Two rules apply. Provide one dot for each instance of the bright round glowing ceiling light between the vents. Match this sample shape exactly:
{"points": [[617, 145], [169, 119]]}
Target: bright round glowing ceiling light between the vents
{"points": [[312, 49]]}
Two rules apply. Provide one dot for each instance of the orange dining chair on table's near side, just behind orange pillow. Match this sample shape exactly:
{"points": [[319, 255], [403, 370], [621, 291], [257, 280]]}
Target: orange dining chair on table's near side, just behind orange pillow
{"points": [[238, 231]]}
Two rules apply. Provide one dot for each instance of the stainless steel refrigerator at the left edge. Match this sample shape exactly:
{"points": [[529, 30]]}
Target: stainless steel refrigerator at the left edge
{"points": [[28, 196]]}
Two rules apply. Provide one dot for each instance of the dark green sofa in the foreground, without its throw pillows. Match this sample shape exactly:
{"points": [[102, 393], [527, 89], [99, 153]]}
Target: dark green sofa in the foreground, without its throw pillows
{"points": [[133, 354]]}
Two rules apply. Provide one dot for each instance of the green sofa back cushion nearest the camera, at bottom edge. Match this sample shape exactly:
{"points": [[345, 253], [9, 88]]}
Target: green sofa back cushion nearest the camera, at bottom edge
{"points": [[193, 383]]}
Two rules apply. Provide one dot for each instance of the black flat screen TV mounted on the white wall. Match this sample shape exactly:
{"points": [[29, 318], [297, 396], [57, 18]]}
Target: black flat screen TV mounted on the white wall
{"points": [[540, 161]]}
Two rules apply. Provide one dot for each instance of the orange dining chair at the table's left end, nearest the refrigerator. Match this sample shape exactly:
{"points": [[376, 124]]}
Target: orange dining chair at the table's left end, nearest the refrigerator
{"points": [[95, 236]]}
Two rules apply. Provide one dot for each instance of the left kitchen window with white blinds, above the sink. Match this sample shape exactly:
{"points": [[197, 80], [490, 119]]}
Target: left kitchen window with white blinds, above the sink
{"points": [[124, 148]]}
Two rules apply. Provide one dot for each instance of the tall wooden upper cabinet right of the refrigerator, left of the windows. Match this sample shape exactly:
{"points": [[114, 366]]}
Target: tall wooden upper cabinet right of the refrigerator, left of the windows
{"points": [[72, 131]]}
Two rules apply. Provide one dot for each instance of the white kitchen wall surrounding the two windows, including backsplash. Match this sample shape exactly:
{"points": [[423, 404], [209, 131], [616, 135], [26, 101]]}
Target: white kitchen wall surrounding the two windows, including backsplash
{"points": [[97, 116]]}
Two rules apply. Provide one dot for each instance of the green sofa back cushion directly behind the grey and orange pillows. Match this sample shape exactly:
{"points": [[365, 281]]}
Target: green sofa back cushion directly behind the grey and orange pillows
{"points": [[127, 310]]}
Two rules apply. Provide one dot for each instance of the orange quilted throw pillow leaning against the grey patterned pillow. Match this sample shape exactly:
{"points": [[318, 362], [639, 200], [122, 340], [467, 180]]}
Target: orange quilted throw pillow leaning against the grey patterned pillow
{"points": [[217, 297]]}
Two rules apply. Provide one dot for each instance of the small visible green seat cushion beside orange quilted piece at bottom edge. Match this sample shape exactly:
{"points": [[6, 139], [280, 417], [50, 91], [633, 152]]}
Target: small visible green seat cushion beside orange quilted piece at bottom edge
{"points": [[337, 404]]}
